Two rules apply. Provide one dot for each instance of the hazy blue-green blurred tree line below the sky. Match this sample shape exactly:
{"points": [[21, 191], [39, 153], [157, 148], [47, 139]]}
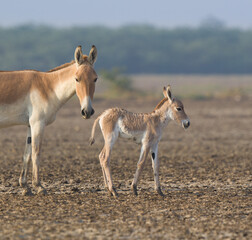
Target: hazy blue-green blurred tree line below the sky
{"points": [[136, 48]]}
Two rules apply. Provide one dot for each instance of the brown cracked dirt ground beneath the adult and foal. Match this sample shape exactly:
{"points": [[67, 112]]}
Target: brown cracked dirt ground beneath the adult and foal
{"points": [[205, 174]]}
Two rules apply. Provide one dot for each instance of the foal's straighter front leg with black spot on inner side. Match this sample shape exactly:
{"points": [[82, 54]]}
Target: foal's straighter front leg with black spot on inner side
{"points": [[155, 166]]}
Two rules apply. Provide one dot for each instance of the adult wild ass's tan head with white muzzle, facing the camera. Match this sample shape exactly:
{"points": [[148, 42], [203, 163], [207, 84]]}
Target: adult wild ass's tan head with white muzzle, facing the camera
{"points": [[85, 78]]}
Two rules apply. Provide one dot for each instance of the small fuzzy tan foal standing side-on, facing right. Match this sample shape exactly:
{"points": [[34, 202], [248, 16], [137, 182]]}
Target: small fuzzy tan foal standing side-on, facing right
{"points": [[144, 128]]}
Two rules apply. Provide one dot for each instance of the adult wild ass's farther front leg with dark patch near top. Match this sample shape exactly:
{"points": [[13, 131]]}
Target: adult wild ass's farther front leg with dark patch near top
{"points": [[26, 163]]}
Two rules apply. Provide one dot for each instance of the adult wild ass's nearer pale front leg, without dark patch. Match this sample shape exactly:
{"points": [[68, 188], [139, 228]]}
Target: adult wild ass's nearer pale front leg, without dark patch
{"points": [[37, 130]]}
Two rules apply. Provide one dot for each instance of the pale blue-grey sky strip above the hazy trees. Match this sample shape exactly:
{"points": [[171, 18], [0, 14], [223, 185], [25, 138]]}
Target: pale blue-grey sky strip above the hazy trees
{"points": [[114, 13]]}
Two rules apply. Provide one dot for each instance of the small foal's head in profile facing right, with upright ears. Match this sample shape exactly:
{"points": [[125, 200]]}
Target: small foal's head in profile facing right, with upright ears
{"points": [[175, 108]]}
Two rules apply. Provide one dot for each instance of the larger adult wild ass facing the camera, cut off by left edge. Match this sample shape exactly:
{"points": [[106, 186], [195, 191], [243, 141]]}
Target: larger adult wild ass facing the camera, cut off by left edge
{"points": [[32, 98]]}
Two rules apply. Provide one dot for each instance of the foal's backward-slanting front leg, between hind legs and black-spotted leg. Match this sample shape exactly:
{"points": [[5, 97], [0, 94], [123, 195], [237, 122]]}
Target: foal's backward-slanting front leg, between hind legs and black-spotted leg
{"points": [[143, 155]]}
